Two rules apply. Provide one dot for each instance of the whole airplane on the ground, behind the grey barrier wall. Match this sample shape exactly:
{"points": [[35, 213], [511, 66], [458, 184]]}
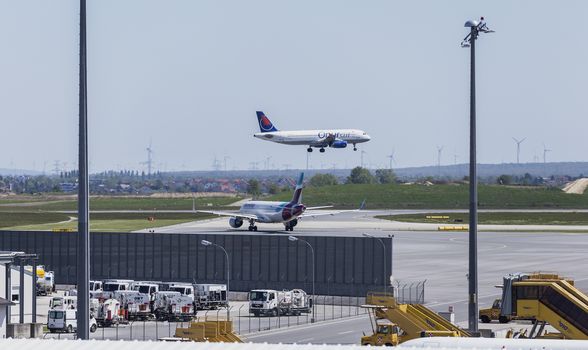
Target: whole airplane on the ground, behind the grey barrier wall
{"points": [[287, 213]]}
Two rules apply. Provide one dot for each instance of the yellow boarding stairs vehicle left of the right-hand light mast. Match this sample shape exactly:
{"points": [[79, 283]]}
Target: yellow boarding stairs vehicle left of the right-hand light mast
{"points": [[395, 323]]}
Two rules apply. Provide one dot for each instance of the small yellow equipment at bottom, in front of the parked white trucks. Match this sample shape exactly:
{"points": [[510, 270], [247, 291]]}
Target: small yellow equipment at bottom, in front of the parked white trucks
{"points": [[209, 331]]}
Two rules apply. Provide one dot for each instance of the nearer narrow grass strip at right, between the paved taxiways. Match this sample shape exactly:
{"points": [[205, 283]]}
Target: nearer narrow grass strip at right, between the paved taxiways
{"points": [[496, 218]]}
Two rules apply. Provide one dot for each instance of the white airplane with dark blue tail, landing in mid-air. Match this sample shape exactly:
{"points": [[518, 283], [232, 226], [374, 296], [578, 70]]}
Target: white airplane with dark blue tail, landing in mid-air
{"points": [[336, 138]]}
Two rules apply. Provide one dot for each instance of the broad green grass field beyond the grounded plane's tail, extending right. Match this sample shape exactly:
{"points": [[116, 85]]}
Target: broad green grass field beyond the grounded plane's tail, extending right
{"points": [[452, 196]]}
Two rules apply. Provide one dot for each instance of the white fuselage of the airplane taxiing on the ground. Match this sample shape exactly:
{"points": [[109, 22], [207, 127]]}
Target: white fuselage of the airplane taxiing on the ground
{"points": [[272, 212]]}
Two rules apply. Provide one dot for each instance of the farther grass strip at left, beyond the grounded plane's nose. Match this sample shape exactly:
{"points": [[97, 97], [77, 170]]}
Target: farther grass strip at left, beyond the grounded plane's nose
{"points": [[121, 203]]}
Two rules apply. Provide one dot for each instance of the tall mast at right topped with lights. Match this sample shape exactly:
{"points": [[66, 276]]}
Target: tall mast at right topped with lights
{"points": [[473, 229]]}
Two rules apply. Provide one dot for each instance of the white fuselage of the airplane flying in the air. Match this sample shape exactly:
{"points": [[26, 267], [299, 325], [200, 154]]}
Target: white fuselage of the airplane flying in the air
{"points": [[314, 138]]}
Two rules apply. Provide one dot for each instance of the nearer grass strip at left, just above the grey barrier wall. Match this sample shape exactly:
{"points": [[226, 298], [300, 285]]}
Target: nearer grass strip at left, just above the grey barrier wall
{"points": [[119, 222]]}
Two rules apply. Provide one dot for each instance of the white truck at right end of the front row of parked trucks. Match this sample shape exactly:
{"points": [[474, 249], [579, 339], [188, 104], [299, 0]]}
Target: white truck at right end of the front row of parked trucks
{"points": [[171, 305]]}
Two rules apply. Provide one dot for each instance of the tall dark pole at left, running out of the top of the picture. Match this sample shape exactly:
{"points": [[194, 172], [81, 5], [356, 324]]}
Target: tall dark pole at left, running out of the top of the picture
{"points": [[83, 268]]}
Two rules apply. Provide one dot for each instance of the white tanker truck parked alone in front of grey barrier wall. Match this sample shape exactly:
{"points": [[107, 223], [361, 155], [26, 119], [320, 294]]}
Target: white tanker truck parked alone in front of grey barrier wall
{"points": [[271, 302]]}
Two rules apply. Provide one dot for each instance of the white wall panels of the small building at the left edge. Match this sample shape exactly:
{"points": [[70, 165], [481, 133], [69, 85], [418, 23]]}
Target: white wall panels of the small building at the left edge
{"points": [[15, 281]]}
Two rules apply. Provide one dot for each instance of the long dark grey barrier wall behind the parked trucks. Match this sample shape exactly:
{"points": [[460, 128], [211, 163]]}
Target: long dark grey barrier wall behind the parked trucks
{"points": [[349, 266]]}
